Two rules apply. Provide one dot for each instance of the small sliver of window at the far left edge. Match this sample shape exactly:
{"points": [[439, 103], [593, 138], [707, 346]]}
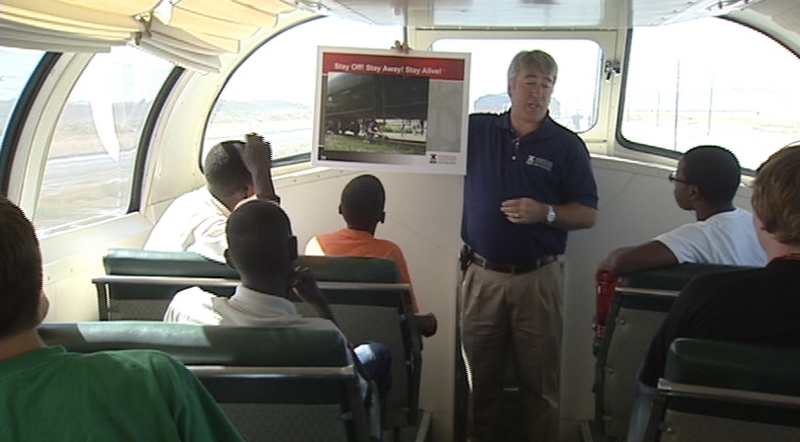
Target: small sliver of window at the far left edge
{"points": [[16, 69]]}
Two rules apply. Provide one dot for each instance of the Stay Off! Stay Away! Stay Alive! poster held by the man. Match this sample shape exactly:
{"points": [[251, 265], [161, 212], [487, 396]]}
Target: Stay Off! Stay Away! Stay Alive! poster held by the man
{"points": [[382, 110]]}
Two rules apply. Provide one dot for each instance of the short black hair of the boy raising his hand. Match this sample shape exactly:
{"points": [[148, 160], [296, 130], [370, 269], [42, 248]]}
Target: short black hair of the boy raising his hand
{"points": [[224, 169]]}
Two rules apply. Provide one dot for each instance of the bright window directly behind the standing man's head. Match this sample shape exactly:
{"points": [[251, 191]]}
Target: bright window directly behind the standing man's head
{"points": [[574, 102]]}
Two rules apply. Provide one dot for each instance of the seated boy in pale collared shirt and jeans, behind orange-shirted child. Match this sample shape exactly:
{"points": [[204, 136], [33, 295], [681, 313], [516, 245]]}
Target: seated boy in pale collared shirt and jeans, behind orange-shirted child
{"points": [[262, 248]]}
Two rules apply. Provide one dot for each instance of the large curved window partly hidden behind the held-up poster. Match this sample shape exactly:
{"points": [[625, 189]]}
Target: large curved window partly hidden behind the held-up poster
{"points": [[272, 92]]}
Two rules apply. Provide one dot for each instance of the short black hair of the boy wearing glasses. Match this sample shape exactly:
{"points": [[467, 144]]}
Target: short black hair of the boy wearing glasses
{"points": [[714, 170]]}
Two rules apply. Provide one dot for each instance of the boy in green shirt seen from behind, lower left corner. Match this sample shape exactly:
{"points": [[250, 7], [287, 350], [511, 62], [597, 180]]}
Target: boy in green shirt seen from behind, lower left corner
{"points": [[48, 394]]}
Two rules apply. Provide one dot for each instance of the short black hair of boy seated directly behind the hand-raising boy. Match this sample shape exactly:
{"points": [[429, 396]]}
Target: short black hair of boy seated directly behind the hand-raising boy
{"points": [[258, 234]]}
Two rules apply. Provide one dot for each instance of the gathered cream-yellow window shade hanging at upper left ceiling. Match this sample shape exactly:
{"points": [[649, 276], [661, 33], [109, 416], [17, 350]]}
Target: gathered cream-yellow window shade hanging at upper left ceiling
{"points": [[190, 33]]}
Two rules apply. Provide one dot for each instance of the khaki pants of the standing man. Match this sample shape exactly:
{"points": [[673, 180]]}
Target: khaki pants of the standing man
{"points": [[524, 311]]}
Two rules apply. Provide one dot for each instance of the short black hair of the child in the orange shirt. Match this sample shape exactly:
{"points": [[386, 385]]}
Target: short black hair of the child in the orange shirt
{"points": [[363, 201]]}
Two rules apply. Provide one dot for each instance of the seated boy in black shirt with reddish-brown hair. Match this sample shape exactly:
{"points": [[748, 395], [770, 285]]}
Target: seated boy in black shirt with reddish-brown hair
{"points": [[754, 306]]}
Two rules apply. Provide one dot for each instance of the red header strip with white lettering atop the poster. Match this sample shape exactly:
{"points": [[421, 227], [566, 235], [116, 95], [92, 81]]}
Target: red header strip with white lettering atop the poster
{"points": [[435, 68]]}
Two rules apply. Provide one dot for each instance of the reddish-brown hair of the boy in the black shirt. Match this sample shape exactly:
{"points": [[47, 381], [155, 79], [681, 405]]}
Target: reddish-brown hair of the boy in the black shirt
{"points": [[776, 194]]}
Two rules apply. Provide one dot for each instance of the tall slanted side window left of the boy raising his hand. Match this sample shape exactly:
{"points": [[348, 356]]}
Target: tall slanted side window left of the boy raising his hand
{"points": [[89, 168]]}
